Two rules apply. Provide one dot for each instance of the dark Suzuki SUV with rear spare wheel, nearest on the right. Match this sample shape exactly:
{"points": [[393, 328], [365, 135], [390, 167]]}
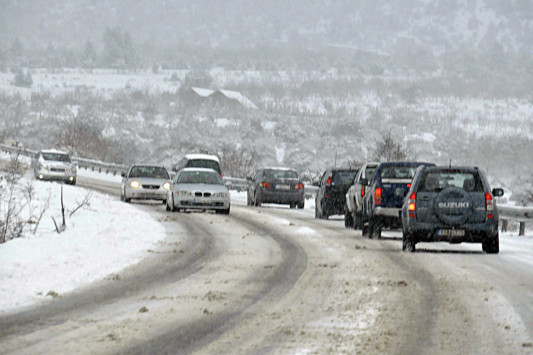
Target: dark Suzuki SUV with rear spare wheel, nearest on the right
{"points": [[451, 204]]}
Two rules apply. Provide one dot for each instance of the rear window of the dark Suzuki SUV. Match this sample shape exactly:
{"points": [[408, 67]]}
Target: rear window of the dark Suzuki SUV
{"points": [[434, 181]]}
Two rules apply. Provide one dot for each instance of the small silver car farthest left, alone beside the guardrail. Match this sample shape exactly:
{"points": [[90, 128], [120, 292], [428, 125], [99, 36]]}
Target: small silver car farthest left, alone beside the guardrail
{"points": [[54, 164]]}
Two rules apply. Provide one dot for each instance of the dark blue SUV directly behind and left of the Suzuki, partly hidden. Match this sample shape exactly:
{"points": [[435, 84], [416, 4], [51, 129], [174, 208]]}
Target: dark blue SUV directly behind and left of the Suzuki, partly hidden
{"points": [[383, 200]]}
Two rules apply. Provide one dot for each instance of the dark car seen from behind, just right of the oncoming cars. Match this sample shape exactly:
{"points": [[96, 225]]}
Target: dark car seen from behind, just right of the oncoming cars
{"points": [[276, 185]]}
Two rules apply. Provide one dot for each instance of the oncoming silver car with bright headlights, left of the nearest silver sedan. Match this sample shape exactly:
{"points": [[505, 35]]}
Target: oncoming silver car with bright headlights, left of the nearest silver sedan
{"points": [[145, 182]]}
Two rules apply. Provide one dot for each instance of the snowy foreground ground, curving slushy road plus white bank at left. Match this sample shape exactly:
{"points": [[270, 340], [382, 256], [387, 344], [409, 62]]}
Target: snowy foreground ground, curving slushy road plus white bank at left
{"points": [[264, 279]]}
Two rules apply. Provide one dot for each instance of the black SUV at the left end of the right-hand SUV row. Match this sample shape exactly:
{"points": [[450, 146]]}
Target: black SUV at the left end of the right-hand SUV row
{"points": [[331, 194]]}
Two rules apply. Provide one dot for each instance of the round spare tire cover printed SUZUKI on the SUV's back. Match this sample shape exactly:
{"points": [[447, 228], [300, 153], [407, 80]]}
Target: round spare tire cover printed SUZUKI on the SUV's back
{"points": [[453, 205]]}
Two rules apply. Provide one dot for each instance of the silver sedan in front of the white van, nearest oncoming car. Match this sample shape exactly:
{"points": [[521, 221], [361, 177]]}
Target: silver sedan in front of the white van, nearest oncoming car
{"points": [[200, 189]]}
